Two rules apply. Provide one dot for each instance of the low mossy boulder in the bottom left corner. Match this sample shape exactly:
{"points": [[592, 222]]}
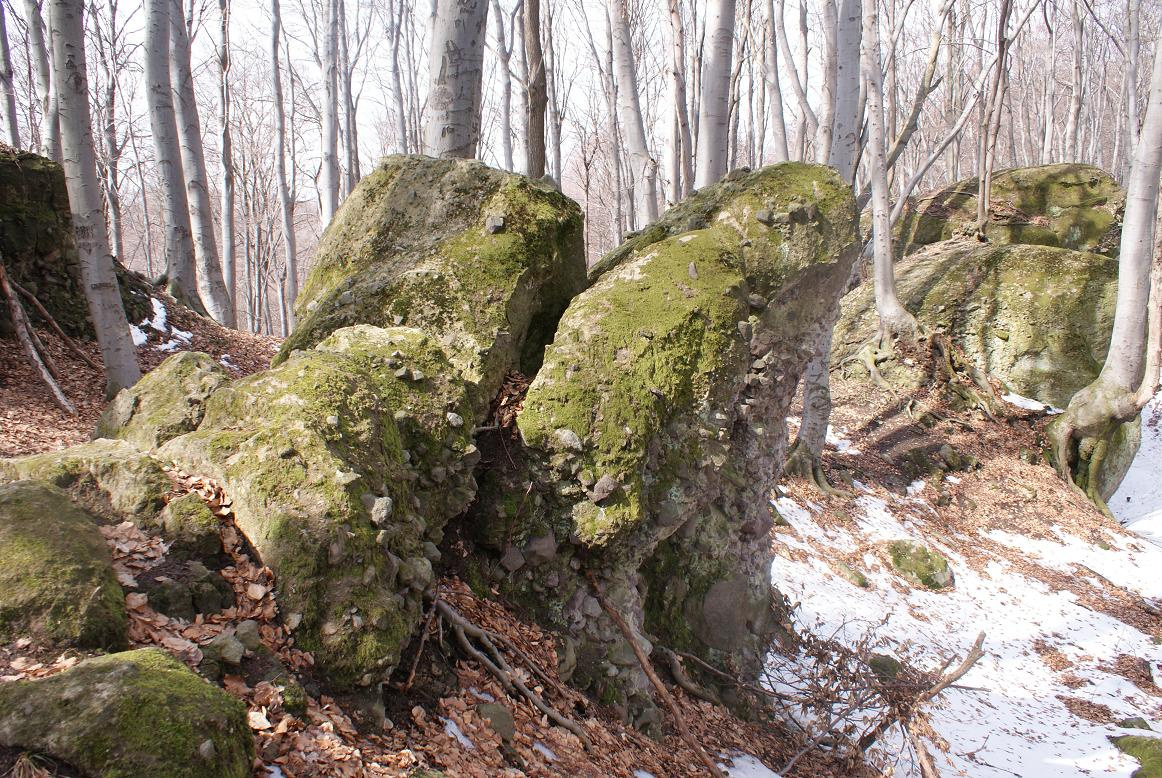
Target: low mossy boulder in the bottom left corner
{"points": [[127, 716]]}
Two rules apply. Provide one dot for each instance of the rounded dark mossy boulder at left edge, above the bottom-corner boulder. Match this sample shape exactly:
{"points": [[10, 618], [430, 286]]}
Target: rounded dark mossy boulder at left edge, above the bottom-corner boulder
{"points": [[58, 585]]}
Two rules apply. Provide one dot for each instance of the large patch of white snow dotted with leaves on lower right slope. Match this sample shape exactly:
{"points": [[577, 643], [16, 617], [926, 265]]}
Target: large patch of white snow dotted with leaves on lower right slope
{"points": [[1044, 650]]}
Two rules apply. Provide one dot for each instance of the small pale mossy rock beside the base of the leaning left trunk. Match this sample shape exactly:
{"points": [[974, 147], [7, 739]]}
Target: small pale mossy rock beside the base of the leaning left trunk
{"points": [[168, 402]]}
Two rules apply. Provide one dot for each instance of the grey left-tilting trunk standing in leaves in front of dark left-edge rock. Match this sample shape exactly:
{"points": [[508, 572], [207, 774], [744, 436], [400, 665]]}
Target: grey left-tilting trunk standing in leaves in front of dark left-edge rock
{"points": [[80, 163]]}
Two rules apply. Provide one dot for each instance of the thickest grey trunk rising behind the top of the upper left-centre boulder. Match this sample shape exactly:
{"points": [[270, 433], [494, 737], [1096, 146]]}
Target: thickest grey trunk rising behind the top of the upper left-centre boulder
{"points": [[456, 75]]}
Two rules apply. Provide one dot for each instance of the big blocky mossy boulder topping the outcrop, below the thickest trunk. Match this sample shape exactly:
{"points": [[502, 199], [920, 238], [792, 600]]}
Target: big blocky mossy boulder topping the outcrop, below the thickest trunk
{"points": [[482, 260]]}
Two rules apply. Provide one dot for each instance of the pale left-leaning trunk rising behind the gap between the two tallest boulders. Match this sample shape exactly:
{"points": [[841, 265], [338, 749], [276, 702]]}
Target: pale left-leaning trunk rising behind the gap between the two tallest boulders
{"points": [[642, 164]]}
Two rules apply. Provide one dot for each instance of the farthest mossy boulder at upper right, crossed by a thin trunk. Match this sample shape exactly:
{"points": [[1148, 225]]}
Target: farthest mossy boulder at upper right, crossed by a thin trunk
{"points": [[1067, 205]]}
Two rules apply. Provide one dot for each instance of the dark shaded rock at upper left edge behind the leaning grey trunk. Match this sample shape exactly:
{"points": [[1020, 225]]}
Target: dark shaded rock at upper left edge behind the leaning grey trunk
{"points": [[37, 242]]}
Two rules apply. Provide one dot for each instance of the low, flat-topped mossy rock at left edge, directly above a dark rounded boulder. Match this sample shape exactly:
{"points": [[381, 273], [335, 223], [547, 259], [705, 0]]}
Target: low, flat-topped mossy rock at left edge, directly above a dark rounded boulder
{"points": [[110, 478]]}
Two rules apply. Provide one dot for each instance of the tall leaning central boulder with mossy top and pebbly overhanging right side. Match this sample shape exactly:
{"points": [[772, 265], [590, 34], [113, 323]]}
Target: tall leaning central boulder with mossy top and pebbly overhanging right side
{"points": [[656, 428]]}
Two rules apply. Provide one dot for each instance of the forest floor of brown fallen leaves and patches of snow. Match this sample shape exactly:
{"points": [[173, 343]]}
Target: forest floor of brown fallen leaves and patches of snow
{"points": [[1070, 603]]}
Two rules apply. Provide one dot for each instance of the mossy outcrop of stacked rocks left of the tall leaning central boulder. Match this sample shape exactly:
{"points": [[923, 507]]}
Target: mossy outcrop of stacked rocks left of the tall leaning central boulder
{"points": [[346, 460]]}
